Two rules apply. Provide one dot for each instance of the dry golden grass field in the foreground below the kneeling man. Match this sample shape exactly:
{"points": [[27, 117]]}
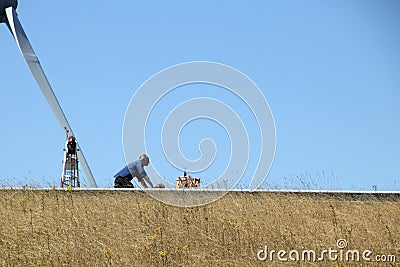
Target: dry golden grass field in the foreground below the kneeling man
{"points": [[128, 228]]}
